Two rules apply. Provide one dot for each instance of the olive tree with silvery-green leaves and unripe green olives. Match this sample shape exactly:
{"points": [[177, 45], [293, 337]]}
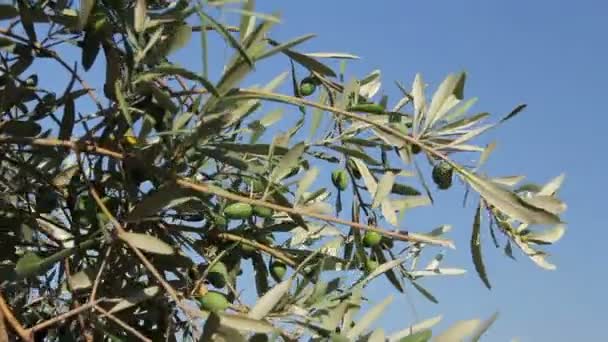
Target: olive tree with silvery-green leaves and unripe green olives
{"points": [[140, 196]]}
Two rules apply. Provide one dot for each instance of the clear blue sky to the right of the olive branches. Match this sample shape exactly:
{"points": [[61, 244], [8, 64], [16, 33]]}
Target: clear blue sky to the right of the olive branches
{"points": [[551, 55]]}
